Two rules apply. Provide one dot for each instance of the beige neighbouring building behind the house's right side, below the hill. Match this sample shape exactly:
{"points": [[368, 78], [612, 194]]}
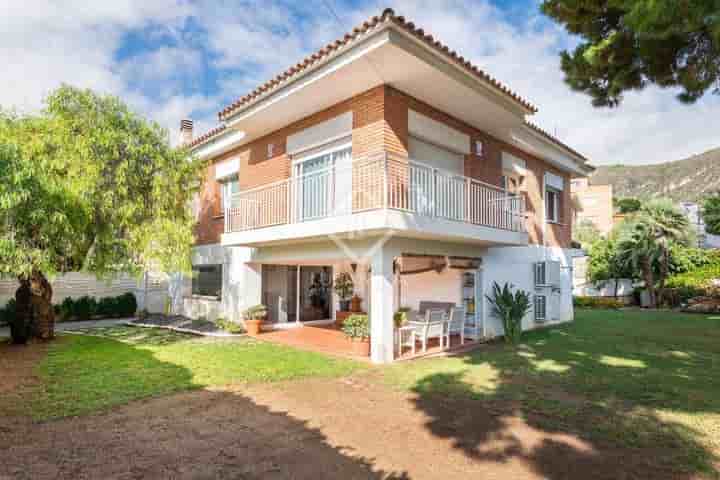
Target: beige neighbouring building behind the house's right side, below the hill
{"points": [[594, 203]]}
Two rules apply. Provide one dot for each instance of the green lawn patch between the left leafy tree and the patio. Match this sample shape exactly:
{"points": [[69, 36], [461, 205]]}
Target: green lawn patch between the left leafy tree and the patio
{"points": [[83, 374]]}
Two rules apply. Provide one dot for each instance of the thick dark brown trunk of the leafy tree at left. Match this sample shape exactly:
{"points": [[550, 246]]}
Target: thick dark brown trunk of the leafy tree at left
{"points": [[35, 316]]}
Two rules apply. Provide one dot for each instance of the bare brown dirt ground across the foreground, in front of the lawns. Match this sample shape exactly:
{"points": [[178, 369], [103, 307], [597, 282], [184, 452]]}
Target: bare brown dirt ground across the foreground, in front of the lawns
{"points": [[316, 429]]}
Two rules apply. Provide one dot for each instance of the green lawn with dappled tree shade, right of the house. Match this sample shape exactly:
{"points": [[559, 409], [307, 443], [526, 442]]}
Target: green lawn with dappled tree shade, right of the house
{"points": [[640, 380]]}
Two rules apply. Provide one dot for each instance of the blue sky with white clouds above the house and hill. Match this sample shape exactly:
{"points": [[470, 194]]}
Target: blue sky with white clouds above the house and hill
{"points": [[171, 59]]}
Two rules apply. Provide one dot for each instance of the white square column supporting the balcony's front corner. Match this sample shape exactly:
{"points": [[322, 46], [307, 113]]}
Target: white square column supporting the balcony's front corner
{"points": [[381, 308]]}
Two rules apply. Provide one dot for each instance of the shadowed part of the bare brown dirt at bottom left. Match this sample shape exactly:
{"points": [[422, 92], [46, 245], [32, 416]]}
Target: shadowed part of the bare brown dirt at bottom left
{"points": [[201, 434]]}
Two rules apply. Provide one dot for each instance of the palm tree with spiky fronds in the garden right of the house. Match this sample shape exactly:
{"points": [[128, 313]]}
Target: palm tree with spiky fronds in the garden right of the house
{"points": [[644, 244]]}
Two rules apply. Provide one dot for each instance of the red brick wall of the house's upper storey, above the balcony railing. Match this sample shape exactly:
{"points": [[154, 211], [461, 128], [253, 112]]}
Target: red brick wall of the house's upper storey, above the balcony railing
{"points": [[380, 123]]}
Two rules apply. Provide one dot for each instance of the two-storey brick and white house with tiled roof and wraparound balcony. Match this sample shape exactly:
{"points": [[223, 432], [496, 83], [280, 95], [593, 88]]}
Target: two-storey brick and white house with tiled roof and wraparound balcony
{"points": [[392, 158]]}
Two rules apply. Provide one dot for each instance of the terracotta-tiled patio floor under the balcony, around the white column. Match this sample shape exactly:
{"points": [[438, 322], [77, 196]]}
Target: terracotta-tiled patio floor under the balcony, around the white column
{"points": [[330, 340]]}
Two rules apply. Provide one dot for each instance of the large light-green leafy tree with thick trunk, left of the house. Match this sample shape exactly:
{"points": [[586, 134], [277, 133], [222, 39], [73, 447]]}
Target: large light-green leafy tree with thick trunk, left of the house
{"points": [[88, 185]]}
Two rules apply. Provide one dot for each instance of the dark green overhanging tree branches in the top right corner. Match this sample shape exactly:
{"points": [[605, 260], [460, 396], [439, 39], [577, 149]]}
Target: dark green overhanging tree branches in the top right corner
{"points": [[627, 44]]}
